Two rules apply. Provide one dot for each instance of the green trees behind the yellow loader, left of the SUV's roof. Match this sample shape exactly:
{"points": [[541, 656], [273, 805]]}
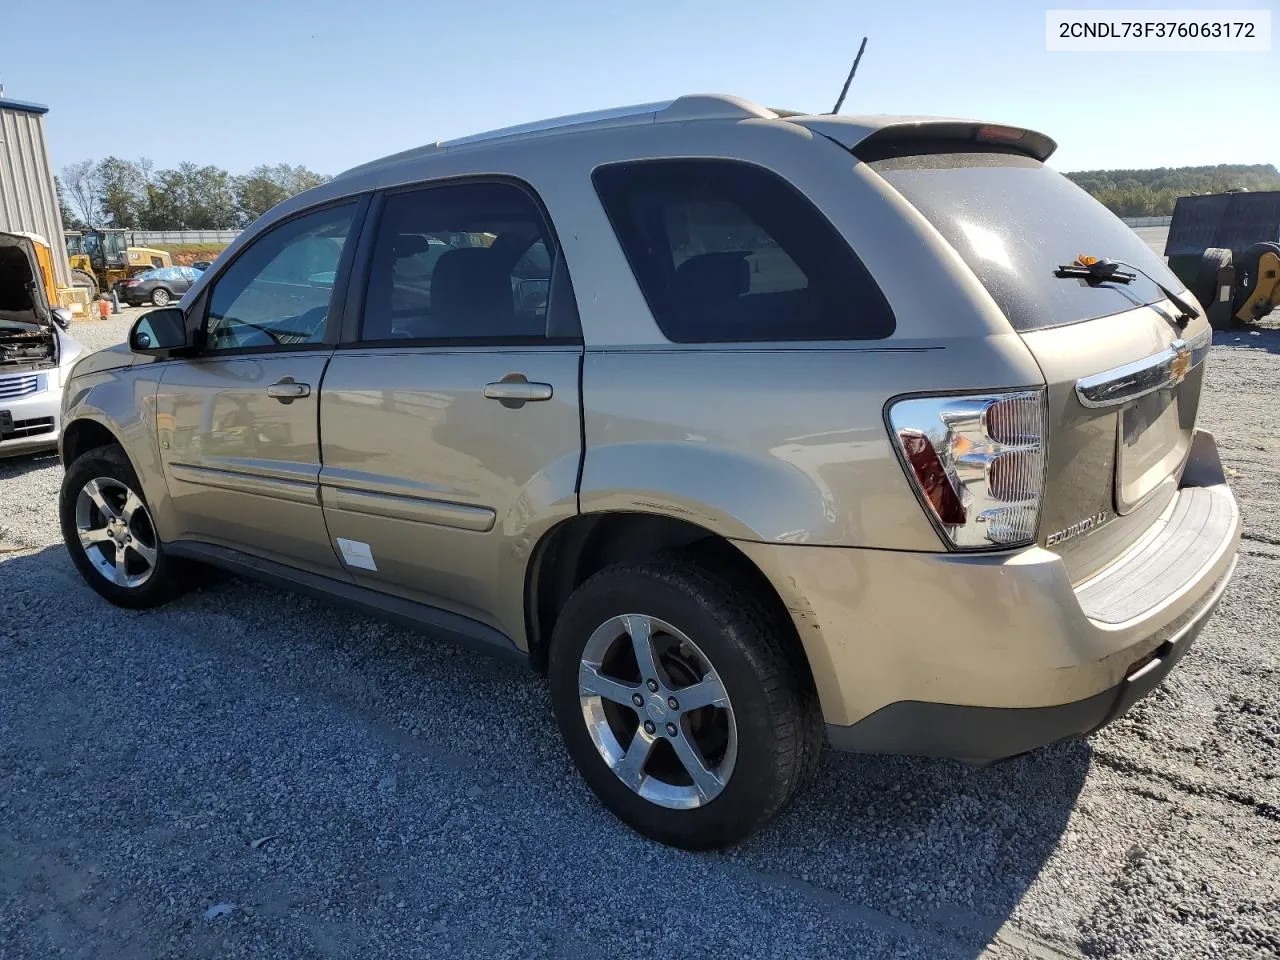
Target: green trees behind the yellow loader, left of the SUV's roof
{"points": [[132, 194]]}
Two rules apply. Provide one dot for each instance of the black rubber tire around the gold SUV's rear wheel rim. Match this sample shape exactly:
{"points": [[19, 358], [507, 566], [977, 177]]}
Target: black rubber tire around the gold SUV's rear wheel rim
{"points": [[774, 702]]}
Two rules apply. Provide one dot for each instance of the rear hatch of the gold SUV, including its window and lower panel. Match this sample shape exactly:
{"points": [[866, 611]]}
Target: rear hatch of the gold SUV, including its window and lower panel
{"points": [[1123, 378]]}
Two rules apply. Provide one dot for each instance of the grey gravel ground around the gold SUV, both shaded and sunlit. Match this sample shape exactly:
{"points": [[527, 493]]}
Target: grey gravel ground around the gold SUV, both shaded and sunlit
{"points": [[419, 803]]}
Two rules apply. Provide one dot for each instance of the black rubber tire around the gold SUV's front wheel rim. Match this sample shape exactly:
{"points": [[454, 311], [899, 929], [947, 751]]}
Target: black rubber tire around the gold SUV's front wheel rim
{"points": [[168, 575]]}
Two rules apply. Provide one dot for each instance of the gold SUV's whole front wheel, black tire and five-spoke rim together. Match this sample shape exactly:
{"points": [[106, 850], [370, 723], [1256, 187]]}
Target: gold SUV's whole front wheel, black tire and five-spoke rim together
{"points": [[109, 533]]}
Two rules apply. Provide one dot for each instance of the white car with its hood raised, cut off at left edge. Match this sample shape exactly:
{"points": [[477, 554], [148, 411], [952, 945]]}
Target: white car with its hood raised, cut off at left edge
{"points": [[36, 353]]}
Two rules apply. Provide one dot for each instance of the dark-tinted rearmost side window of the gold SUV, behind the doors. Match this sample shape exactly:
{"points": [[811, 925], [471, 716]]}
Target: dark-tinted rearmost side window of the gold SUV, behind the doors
{"points": [[730, 253]]}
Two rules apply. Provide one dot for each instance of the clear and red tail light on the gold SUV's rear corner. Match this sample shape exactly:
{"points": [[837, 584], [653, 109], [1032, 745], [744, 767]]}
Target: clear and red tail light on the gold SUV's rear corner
{"points": [[979, 463]]}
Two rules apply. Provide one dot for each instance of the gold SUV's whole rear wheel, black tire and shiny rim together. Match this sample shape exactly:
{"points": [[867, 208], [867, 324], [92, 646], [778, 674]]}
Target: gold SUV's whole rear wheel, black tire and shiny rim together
{"points": [[684, 701]]}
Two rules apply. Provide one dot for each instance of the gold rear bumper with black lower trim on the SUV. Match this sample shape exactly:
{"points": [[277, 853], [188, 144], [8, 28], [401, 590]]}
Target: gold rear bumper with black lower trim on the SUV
{"points": [[984, 657]]}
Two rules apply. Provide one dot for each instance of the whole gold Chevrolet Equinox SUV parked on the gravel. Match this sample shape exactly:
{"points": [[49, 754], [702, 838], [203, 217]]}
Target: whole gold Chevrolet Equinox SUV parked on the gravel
{"points": [[749, 429]]}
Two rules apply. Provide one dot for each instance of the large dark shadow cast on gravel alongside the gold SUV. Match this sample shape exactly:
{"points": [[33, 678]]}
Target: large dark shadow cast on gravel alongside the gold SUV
{"points": [[424, 806]]}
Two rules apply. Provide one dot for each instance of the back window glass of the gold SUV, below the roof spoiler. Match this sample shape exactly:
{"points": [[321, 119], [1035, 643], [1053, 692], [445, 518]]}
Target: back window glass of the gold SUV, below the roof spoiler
{"points": [[1014, 222]]}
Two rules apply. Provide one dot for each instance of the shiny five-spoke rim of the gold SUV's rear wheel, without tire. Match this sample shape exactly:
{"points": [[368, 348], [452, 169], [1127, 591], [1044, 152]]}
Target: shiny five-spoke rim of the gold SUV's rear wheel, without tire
{"points": [[657, 711]]}
